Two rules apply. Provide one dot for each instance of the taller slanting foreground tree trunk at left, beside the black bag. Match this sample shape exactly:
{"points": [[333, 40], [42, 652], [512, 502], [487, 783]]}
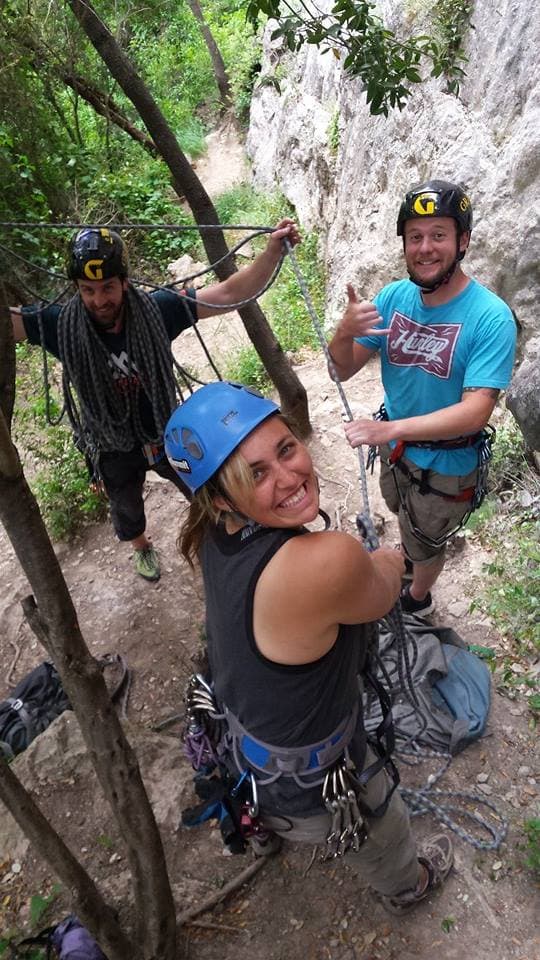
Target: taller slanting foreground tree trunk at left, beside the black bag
{"points": [[113, 758]]}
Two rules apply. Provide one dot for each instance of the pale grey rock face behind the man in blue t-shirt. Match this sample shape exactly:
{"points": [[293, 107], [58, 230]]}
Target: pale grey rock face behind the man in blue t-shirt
{"points": [[312, 136]]}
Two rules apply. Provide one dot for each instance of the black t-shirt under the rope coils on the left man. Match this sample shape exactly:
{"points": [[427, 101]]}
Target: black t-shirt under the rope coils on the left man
{"points": [[177, 312]]}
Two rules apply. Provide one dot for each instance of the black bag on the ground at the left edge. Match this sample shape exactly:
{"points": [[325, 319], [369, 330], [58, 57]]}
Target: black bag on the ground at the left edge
{"points": [[35, 702]]}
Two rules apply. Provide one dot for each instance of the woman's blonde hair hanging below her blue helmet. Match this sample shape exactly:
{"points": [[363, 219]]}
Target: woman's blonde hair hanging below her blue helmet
{"points": [[233, 482]]}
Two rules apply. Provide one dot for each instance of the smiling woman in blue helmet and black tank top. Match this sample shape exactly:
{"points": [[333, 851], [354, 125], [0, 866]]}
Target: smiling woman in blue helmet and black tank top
{"points": [[289, 616]]}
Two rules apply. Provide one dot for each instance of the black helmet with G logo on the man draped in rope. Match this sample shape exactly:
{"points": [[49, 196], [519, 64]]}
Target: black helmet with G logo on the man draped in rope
{"points": [[96, 253]]}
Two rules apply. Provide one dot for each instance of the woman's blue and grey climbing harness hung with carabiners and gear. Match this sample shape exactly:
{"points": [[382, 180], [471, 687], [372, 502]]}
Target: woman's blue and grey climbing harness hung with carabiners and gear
{"points": [[212, 735]]}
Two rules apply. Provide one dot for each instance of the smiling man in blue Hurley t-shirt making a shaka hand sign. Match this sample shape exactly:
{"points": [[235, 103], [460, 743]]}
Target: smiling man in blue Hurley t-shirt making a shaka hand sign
{"points": [[447, 347]]}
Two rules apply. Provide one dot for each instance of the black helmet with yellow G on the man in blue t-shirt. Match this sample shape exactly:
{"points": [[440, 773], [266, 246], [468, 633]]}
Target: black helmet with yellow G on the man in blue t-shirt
{"points": [[436, 198]]}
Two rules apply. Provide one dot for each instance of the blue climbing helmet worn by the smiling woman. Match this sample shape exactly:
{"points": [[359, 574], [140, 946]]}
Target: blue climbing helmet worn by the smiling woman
{"points": [[209, 426]]}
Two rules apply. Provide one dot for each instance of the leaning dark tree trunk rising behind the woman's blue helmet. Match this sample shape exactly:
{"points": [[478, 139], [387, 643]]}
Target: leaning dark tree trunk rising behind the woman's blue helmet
{"points": [[292, 394]]}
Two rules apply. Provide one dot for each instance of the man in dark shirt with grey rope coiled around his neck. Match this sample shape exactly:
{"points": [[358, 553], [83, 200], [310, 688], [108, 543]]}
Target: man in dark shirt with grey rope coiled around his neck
{"points": [[114, 343]]}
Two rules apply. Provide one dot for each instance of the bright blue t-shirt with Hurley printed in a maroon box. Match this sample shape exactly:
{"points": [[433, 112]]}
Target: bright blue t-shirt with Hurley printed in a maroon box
{"points": [[432, 353]]}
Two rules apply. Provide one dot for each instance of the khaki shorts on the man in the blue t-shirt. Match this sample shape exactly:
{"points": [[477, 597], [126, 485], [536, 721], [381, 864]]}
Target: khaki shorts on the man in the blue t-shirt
{"points": [[431, 514]]}
